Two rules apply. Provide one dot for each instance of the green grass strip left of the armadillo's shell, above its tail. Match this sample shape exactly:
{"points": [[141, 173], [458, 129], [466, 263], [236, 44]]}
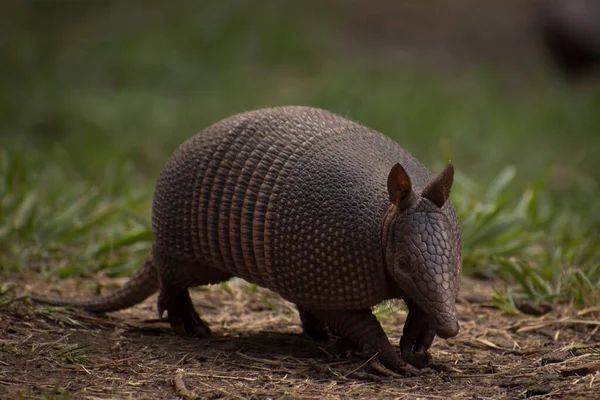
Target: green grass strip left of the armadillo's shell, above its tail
{"points": [[53, 221]]}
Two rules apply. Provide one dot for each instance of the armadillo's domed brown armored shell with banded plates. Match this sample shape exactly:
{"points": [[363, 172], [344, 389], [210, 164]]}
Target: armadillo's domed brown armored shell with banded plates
{"points": [[290, 198]]}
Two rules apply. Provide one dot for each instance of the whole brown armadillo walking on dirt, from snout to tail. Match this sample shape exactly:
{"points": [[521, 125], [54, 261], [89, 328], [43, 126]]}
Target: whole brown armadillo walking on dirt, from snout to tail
{"points": [[332, 215]]}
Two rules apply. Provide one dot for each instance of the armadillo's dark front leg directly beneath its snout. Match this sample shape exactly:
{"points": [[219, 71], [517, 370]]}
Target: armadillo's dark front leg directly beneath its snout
{"points": [[417, 338]]}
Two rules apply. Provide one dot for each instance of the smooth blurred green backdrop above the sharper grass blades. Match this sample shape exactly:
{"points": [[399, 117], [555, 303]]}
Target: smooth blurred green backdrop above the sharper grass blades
{"points": [[111, 80]]}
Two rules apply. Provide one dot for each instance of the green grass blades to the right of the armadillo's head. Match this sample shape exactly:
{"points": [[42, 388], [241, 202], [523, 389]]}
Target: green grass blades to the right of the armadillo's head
{"points": [[547, 244]]}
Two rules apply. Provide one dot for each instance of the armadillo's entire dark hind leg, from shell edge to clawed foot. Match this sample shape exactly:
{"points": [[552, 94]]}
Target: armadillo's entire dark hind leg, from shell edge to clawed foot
{"points": [[175, 279]]}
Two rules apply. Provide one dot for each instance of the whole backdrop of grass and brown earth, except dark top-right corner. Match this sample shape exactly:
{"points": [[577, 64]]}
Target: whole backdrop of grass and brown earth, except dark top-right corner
{"points": [[95, 95]]}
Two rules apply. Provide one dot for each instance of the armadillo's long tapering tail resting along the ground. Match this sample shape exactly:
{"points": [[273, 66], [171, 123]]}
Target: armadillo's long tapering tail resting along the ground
{"points": [[142, 285]]}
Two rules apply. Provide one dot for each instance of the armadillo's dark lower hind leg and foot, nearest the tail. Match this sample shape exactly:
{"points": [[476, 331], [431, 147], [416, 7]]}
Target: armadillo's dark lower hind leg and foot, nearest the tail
{"points": [[181, 313]]}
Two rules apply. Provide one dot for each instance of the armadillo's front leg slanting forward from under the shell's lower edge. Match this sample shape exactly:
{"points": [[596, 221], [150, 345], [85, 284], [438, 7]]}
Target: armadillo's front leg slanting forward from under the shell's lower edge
{"points": [[362, 329]]}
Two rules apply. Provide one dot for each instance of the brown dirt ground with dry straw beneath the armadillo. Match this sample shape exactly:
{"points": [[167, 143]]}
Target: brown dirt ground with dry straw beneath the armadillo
{"points": [[258, 351]]}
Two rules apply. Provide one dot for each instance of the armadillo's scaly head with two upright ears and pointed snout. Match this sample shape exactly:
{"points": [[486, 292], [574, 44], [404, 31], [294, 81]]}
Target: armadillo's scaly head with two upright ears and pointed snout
{"points": [[423, 247]]}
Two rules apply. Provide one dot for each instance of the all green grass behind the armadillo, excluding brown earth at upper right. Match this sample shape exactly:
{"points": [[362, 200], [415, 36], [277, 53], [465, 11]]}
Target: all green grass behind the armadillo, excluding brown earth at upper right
{"points": [[94, 102]]}
